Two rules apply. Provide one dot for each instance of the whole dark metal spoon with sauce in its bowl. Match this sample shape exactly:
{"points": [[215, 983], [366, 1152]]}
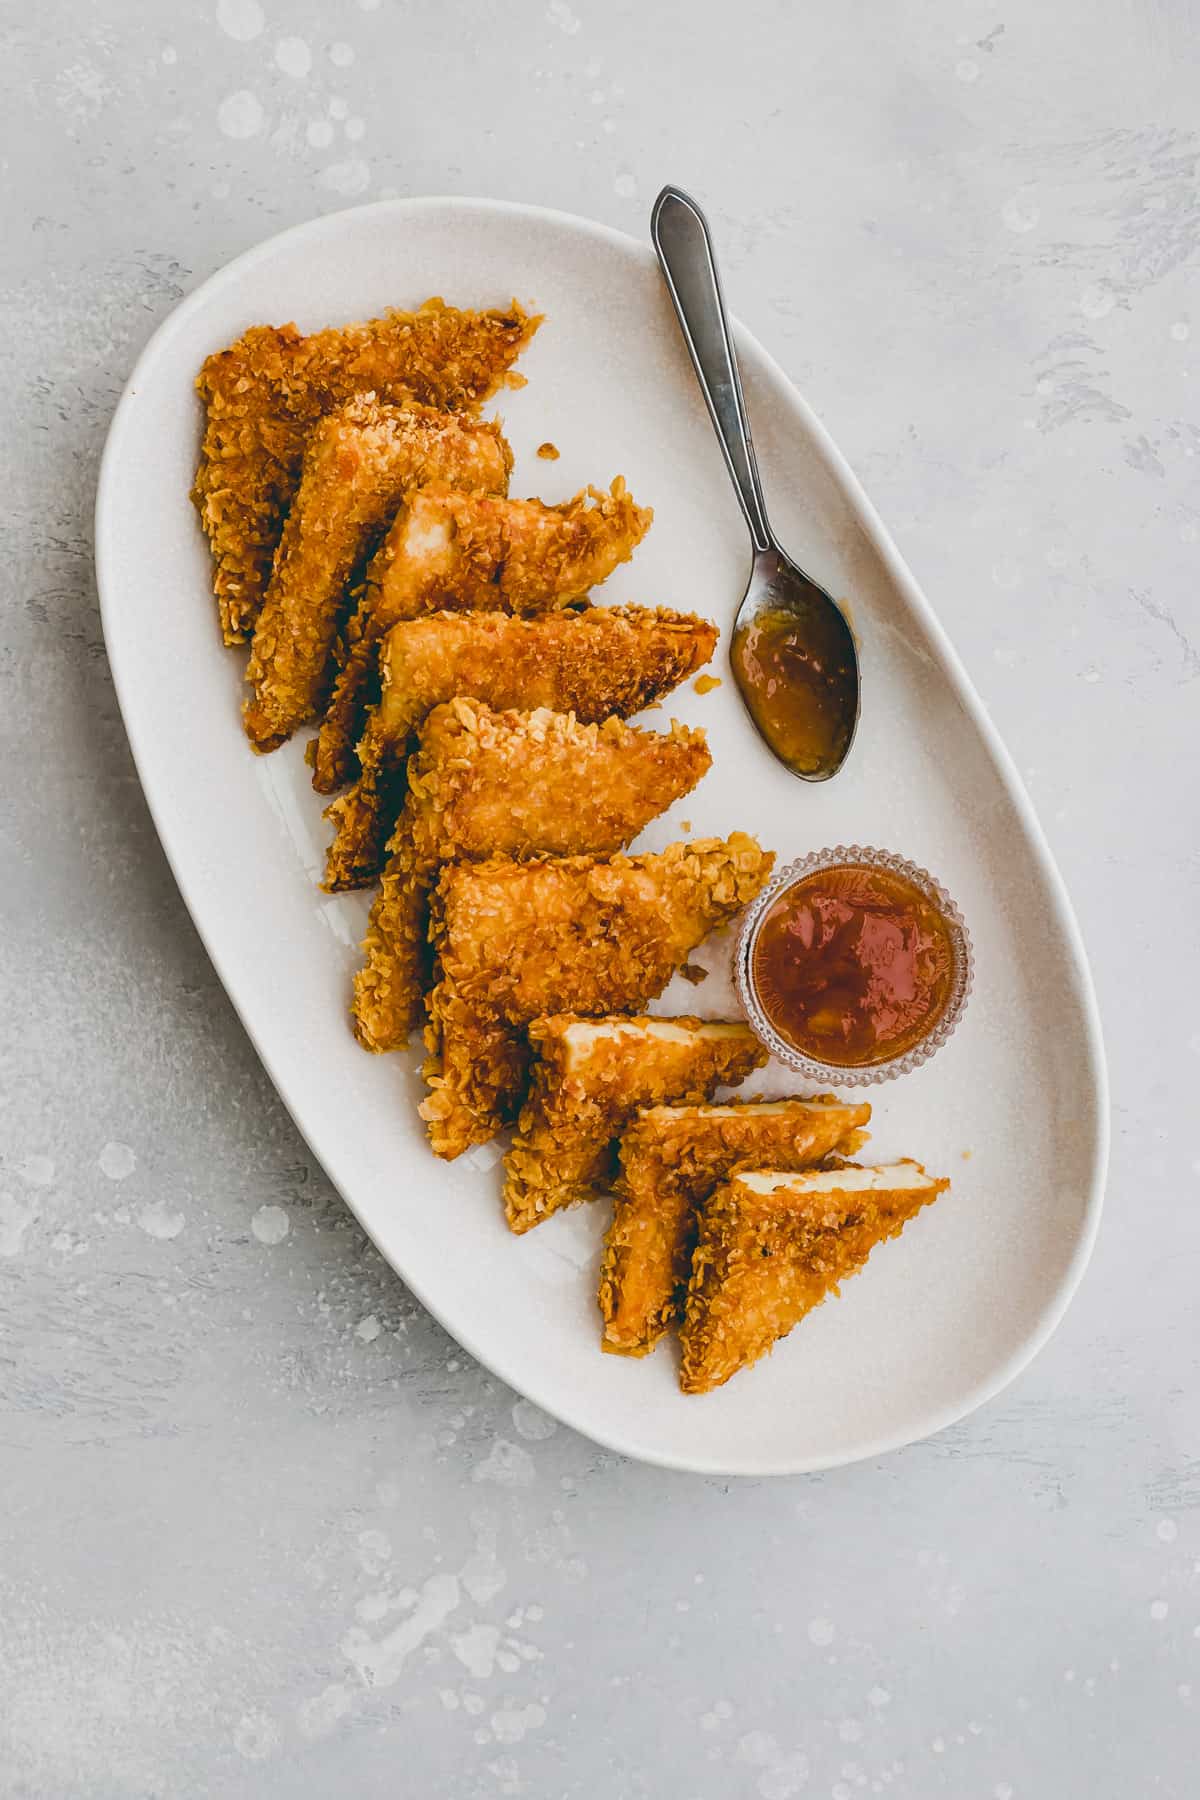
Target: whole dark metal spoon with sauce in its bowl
{"points": [[793, 651]]}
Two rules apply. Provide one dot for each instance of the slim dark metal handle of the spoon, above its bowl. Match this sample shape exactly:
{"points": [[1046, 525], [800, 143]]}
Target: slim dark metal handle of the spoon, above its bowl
{"points": [[681, 237]]}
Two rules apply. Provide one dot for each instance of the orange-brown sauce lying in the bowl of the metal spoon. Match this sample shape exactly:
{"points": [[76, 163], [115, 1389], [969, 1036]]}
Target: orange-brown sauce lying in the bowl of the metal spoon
{"points": [[798, 683]]}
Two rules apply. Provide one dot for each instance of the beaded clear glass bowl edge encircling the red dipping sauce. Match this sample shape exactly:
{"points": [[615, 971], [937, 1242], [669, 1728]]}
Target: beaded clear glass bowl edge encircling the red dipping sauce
{"points": [[861, 1075]]}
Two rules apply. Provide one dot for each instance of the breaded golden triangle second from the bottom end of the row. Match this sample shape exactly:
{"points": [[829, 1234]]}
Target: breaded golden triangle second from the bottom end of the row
{"points": [[672, 1160]]}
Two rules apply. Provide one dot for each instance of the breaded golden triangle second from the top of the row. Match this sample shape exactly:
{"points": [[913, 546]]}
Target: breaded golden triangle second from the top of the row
{"points": [[359, 465]]}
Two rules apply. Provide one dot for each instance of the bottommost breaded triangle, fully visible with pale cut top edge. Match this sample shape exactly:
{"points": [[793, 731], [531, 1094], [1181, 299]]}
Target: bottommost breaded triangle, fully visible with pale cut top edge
{"points": [[773, 1246]]}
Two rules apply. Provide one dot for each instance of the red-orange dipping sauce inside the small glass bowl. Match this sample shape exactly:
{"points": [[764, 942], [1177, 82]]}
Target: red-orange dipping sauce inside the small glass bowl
{"points": [[854, 966]]}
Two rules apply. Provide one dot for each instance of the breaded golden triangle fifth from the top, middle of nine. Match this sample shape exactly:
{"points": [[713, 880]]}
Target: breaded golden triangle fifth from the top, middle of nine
{"points": [[506, 784]]}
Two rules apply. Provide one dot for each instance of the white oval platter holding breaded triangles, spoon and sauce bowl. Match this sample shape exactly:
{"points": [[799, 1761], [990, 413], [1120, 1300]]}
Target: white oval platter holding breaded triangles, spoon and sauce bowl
{"points": [[1014, 1110]]}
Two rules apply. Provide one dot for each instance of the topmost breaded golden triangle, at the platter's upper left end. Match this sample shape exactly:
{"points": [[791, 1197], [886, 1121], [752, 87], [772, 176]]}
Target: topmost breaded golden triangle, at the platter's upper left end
{"points": [[267, 391]]}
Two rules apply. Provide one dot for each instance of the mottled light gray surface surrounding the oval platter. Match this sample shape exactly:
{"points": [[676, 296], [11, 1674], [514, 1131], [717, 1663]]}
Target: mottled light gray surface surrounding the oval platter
{"points": [[233, 1452]]}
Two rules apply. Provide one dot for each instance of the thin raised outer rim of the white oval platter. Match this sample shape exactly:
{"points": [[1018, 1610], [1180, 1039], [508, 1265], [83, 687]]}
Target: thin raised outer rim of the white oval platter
{"points": [[882, 544]]}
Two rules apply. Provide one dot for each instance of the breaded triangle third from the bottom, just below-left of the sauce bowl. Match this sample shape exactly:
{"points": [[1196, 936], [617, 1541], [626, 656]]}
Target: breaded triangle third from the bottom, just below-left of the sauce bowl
{"points": [[589, 1079]]}
